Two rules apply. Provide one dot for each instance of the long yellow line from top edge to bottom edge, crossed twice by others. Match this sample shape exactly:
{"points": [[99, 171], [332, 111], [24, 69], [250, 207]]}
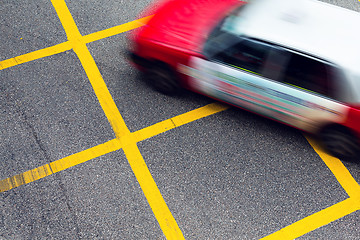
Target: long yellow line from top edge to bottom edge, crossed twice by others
{"points": [[162, 213]]}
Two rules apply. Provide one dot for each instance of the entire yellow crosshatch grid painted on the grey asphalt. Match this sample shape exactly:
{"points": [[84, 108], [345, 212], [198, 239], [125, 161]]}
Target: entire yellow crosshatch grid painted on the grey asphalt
{"points": [[127, 141]]}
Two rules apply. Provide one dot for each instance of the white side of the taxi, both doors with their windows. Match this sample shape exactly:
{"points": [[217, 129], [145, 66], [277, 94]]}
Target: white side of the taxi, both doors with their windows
{"points": [[268, 80]]}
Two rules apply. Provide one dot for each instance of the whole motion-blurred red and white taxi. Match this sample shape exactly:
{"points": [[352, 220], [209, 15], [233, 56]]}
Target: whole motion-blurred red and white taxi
{"points": [[294, 61]]}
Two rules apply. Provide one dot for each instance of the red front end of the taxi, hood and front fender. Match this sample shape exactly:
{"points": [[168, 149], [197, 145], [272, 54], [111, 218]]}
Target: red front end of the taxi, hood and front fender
{"points": [[175, 33]]}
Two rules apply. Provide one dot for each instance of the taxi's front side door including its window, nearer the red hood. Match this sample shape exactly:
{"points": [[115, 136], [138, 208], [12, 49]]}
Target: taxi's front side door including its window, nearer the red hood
{"points": [[234, 74]]}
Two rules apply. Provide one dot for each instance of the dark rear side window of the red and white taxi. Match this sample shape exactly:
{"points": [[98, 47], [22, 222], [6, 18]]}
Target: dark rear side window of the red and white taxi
{"points": [[309, 74]]}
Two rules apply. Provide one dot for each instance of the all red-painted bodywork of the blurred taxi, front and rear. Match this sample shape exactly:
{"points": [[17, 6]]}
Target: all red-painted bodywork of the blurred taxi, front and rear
{"points": [[178, 31]]}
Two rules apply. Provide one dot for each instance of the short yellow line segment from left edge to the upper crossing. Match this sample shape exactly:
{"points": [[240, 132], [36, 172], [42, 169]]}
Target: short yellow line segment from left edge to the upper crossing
{"points": [[62, 47]]}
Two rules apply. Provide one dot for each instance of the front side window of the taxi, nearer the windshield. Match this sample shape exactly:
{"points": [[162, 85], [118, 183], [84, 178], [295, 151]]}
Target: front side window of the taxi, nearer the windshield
{"points": [[247, 54]]}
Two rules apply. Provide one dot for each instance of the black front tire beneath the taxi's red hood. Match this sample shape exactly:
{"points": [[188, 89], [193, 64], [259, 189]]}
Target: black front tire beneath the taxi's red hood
{"points": [[162, 78]]}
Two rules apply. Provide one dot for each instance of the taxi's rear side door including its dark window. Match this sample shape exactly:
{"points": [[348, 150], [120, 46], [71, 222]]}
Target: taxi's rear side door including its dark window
{"points": [[308, 89]]}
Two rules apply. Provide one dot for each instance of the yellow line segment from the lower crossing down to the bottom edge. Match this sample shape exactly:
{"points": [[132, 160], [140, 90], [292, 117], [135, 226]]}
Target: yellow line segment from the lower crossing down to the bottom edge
{"points": [[162, 213]]}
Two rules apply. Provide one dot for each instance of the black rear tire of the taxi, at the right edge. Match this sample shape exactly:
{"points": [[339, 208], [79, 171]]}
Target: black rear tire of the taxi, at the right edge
{"points": [[341, 143]]}
